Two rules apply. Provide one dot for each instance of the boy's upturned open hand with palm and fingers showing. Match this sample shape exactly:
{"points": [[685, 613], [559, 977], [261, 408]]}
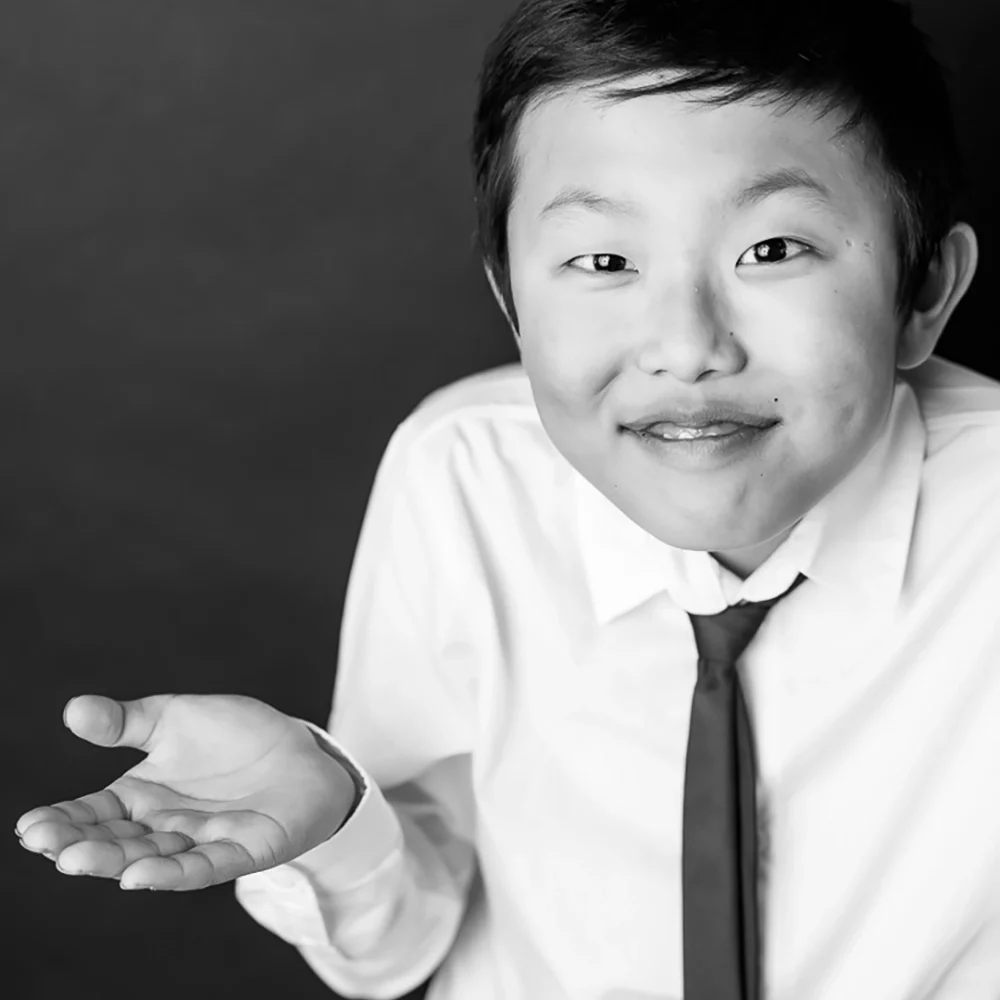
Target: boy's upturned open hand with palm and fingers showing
{"points": [[229, 786]]}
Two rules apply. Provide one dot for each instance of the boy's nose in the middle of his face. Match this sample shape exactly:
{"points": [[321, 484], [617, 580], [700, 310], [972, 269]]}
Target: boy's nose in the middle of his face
{"points": [[686, 333]]}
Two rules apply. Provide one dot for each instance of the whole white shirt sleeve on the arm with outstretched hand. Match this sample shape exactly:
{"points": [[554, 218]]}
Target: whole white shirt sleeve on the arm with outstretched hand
{"points": [[375, 908]]}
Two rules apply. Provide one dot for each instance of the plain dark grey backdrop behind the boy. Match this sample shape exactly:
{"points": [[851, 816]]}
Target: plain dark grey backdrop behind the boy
{"points": [[236, 251]]}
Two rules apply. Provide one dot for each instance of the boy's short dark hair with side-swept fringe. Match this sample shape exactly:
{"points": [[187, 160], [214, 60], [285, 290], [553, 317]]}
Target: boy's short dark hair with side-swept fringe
{"points": [[863, 58]]}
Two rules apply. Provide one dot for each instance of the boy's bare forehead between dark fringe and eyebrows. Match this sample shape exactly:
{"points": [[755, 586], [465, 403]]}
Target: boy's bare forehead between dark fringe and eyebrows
{"points": [[671, 147]]}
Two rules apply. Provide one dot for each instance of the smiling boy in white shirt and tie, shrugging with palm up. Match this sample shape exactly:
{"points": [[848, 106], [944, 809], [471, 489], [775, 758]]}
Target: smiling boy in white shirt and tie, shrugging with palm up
{"points": [[724, 237]]}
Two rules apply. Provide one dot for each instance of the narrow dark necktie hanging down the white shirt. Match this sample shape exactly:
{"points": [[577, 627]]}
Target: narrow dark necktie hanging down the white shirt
{"points": [[721, 949]]}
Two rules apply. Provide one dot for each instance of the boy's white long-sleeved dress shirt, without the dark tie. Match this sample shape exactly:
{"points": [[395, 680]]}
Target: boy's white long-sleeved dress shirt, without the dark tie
{"points": [[514, 686]]}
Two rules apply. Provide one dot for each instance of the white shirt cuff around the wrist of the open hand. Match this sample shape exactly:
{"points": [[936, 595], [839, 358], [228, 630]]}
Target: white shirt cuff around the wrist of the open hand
{"points": [[367, 838]]}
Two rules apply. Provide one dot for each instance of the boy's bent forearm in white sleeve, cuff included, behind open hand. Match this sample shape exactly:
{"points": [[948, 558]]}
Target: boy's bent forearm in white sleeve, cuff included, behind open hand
{"points": [[374, 909]]}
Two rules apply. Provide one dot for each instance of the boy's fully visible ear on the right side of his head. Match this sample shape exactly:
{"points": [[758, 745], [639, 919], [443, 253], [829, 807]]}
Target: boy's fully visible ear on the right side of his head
{"points": [[948, 279]]}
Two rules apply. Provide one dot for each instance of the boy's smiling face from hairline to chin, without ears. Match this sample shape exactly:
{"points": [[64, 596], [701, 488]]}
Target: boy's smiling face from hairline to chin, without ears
{"points": [[713, 282]]}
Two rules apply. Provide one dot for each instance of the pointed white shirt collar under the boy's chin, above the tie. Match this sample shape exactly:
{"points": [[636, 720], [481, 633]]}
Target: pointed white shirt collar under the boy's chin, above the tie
{"points": [[856, 539]]}
